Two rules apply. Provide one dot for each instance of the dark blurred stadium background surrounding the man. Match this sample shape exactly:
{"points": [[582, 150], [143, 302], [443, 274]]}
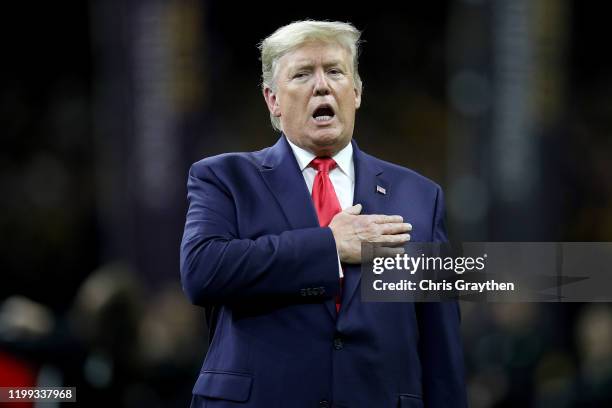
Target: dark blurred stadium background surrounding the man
{"points": [[105, 104]]}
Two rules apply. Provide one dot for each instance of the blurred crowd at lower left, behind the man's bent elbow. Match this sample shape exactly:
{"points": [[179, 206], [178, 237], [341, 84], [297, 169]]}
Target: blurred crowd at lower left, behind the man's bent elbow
{"points": [[117, 344]]}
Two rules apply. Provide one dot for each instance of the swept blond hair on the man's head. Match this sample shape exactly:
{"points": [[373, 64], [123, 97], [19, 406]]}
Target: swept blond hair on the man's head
{"points": [[292, 36]]}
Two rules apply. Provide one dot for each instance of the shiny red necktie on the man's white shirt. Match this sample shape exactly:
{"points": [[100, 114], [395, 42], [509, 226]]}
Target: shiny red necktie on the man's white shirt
{"points": [[324, 197]]}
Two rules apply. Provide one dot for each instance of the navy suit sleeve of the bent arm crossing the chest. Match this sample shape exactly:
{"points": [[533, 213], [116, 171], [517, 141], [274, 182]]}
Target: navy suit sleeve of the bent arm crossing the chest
{"points": [[218, 266]]}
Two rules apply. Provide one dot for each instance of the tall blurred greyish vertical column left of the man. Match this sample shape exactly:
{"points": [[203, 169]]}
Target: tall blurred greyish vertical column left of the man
{"points": [[149, 90]]}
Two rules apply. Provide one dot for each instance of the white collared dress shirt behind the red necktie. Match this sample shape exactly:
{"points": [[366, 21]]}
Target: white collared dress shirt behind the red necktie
{"points": [[342, 176]]}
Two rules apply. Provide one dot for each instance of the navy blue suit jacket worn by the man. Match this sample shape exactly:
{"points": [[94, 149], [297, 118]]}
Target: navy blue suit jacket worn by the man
{"points": [[254, 255]]}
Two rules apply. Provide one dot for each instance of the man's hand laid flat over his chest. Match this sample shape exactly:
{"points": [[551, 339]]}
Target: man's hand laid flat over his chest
{"points": [[350, 229]]}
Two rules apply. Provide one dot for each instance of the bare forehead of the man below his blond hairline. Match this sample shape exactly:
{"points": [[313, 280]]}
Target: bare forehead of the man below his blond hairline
{"points": [[313, 53]]}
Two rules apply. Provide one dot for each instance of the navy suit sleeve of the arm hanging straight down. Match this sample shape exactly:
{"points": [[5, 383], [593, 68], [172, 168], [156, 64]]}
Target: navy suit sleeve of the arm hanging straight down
{"points": [[440, 340]]}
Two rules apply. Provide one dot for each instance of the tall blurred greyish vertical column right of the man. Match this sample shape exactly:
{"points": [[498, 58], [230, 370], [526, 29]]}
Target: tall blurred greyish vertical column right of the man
{"points": [[505, 90]]}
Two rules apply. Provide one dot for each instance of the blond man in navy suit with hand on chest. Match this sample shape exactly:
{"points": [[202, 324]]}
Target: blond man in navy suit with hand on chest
{"points": [[272, 250]]}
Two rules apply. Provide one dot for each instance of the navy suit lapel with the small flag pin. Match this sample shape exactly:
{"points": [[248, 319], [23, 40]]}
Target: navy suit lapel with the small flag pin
{"points": [[368, 175]]}
